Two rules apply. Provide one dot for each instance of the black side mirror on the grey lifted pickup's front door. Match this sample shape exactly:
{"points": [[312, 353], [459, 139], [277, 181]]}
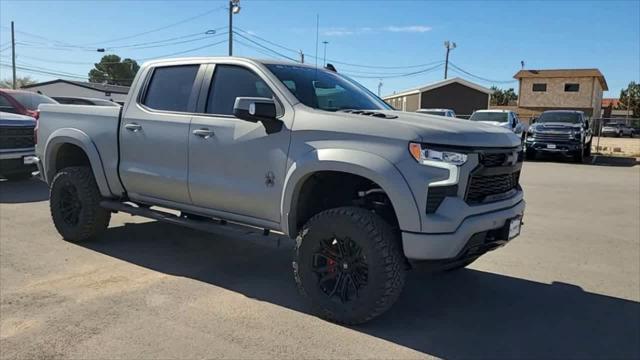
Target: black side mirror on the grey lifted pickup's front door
{"points": [[255, 109]]}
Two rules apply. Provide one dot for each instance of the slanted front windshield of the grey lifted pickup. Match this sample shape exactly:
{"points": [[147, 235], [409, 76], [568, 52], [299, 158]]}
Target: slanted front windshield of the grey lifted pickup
{"points": [[325, 90]]}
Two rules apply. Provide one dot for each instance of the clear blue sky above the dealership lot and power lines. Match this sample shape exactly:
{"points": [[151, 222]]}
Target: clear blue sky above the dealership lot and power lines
{"points": [[492, 37]]}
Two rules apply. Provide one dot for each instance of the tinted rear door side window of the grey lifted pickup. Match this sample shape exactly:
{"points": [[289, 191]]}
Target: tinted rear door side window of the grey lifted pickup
{"points": [[170, 88]]}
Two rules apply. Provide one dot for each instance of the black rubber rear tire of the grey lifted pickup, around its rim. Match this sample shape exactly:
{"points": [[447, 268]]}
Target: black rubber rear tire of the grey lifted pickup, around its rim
{"points": [[92, 219]]}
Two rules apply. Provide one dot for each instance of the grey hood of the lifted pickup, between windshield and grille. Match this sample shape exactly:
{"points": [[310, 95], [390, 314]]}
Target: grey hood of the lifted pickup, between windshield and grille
{"points": [[453, 131]]}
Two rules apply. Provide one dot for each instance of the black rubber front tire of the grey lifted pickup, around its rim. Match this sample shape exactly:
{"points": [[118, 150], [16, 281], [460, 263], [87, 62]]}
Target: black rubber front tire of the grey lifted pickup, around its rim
{"points": [[380, 245]]}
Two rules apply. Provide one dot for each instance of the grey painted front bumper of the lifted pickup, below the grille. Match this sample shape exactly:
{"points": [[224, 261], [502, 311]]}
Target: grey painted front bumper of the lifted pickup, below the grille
{"points": [[441, 246]]}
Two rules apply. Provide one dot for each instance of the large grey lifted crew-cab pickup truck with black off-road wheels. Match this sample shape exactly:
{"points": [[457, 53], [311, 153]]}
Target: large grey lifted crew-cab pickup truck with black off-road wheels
{"points": [[364, 190]]}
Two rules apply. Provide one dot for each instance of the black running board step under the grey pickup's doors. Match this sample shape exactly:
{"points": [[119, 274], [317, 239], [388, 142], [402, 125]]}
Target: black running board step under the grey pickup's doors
{"points": [[221, 227]]}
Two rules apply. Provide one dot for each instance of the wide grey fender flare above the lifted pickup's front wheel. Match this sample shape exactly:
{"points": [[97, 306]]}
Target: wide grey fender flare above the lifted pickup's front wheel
{"points": [[368, 165]]}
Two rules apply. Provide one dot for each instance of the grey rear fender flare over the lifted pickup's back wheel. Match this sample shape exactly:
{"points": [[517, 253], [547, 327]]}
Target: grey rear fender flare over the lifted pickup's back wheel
{"points": [[61, 138]]}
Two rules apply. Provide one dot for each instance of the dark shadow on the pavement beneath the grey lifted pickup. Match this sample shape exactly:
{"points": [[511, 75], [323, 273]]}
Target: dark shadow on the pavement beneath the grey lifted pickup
{"points": [[462, 314]]}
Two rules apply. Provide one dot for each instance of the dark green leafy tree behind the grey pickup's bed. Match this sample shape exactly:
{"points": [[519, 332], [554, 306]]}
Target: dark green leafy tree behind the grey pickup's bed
{"points": [[112, 70]]}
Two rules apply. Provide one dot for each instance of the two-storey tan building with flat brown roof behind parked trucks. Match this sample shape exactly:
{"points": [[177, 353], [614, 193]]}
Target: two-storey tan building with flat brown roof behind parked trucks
{"points": [[576, 89]]}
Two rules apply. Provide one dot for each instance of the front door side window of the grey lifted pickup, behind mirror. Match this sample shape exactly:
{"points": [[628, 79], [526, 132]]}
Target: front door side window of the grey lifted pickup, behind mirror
{"points": [[230, 82]]}
